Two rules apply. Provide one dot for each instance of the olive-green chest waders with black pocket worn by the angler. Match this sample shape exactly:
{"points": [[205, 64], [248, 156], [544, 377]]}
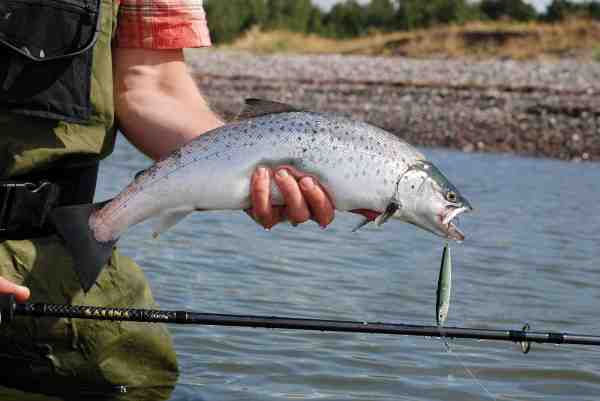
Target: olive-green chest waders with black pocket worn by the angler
{"points": [[56, 123]]}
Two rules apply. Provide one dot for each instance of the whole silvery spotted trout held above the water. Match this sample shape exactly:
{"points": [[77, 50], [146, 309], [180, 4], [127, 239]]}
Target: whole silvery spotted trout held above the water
{"points": [[363, 169]]}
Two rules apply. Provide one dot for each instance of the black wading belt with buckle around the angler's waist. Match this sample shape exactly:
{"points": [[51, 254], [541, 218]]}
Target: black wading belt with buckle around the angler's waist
{"points": [[26, 201]]}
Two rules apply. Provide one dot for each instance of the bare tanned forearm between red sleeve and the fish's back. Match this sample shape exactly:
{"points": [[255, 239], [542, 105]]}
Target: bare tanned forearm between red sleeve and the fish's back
{"points": [[158, 105]]}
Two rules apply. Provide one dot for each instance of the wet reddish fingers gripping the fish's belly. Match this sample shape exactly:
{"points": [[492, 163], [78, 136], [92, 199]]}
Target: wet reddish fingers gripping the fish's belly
{"points": [[303, 196]]}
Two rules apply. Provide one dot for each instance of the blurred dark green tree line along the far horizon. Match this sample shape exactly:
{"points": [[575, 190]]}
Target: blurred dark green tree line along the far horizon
{"points": [[230, 18]]}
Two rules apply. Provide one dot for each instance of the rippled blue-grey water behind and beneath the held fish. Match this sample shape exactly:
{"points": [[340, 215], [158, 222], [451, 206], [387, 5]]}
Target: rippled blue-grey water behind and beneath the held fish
{"points": [[532, 255]]}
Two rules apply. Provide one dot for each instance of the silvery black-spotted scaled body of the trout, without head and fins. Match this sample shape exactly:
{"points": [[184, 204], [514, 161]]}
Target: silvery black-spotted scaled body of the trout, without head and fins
{"points": [[357, 163]]}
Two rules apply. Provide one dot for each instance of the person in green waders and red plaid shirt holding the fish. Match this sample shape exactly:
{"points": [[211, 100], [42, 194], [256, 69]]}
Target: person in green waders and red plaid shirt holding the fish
{"points": [[71, 74]]}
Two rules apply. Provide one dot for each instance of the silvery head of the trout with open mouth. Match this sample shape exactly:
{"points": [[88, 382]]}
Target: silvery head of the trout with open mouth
{"points": [[430, 201]]}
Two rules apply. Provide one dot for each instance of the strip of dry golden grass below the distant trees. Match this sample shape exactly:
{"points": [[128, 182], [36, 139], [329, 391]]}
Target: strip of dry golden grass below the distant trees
{"points": [[574, 38]]}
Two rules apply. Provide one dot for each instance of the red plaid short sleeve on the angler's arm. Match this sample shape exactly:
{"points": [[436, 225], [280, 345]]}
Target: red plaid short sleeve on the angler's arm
{"points": [[162, 24]]}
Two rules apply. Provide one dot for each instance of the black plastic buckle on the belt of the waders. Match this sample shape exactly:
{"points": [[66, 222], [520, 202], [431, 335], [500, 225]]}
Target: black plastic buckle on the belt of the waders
{"points": [[25, 206]]}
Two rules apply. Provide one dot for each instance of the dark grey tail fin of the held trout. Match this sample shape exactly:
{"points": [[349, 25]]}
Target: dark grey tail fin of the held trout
{"points": [[89, 255]]}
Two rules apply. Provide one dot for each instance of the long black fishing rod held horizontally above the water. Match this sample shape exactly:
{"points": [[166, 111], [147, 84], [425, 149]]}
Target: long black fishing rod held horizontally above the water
{"points": [[10, 309]]}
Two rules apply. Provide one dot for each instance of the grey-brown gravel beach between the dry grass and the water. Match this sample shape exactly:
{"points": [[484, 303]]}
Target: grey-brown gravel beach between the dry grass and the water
{"points": [[549, 109]]}
